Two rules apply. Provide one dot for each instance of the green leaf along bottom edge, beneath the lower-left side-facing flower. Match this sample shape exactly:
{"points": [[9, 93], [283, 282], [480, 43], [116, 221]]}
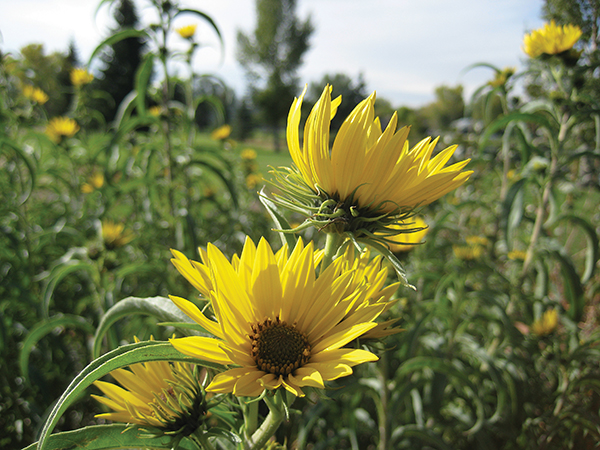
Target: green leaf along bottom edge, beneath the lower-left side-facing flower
{"points": [[109, 437]]}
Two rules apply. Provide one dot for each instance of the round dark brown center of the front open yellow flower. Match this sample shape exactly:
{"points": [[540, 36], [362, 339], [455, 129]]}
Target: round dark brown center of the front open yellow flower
{"points": [[277, 347]]}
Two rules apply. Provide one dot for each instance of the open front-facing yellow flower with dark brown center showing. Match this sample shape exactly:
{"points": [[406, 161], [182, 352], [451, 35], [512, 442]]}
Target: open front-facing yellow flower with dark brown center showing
{"points": [[276, 325]]}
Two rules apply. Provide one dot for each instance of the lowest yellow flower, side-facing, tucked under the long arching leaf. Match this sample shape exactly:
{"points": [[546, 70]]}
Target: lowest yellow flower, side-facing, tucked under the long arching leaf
{"points": [[157, 394]]}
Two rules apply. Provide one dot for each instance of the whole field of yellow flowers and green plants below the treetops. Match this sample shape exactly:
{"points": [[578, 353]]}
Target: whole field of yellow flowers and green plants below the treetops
{"points": [[163, 287]]}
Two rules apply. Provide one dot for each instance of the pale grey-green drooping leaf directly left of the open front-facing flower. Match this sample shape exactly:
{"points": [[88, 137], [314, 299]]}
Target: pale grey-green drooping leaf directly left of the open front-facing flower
{"points": [[160, 307]]}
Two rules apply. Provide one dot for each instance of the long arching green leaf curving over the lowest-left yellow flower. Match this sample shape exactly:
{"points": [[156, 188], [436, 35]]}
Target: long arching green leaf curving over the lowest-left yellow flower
{"points": [[123, 356]]}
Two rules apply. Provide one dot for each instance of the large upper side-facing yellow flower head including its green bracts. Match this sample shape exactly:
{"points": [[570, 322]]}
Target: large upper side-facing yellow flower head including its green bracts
{"points": [[370, 178]]}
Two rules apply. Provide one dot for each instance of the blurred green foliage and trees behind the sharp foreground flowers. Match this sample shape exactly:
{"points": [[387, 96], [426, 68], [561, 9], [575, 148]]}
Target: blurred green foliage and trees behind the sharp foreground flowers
{"points": [[500, 348]]}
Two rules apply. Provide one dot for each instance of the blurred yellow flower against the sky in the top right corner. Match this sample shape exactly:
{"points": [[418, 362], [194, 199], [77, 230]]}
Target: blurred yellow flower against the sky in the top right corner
{"points": [[552, 39]]}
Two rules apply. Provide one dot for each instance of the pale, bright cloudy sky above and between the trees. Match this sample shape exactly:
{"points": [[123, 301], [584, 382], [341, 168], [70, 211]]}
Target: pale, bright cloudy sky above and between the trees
{"points": [[403, 49]]}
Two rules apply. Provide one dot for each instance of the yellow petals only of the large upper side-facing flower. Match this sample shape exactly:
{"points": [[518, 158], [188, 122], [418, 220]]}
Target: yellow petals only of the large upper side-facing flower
{"points": [[377, 169]]}
